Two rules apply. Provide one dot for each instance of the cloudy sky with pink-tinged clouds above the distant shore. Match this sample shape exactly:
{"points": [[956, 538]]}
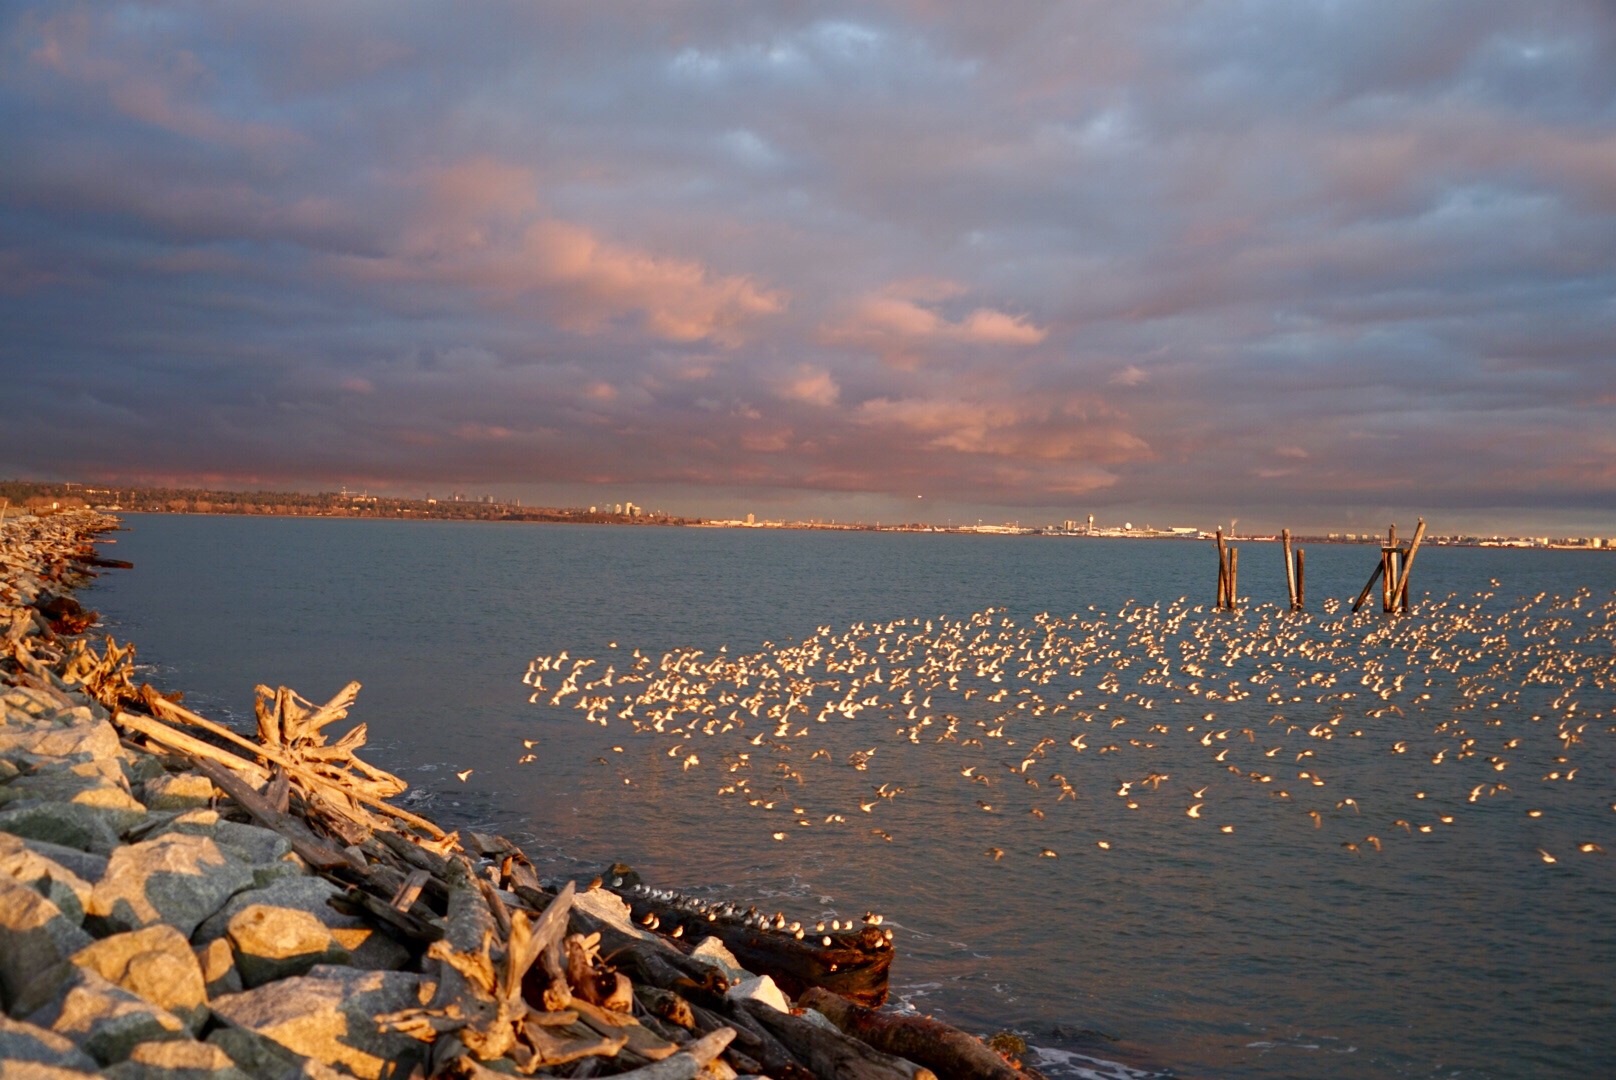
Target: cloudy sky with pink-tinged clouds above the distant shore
{"points": [[1319, 264]]}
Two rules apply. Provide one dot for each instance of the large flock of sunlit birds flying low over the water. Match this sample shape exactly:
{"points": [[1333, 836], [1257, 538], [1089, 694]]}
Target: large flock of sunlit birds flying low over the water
{"points": [[1384, 728]]}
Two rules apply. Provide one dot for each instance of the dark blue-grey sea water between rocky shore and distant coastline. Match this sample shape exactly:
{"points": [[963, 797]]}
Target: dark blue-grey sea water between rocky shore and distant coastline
{"points": [[1268, 937]]}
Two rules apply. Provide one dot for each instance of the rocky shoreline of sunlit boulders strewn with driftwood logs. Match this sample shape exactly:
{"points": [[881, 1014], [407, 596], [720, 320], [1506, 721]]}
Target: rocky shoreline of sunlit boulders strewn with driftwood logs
{"points": [[182, 901]]}
